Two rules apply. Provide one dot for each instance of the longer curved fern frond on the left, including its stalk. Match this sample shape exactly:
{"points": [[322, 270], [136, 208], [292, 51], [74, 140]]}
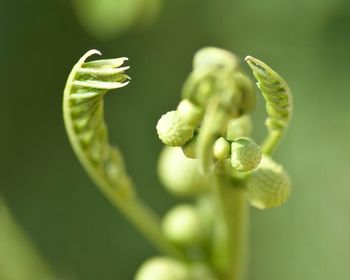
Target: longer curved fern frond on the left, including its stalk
{"points": [[86, 86]]}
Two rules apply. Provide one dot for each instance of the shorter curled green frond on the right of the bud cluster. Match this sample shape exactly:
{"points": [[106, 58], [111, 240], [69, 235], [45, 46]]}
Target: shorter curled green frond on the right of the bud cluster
{"points": [[278, 101]]}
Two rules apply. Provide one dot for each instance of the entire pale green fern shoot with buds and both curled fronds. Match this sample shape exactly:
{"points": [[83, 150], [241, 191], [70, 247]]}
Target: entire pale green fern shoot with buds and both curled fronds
{"points": [[209, 158]]}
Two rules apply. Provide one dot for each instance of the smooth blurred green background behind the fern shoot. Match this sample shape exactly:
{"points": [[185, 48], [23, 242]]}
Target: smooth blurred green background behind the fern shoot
{"points": [[63, 213]]}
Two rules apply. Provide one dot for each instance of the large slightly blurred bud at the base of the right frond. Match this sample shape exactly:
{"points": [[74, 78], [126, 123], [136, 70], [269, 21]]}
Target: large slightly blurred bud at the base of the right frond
{"points": [[268, 186]]}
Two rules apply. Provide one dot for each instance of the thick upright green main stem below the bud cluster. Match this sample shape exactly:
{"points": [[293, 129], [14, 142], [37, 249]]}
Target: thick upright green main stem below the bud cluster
{"points": [[231, 238]]}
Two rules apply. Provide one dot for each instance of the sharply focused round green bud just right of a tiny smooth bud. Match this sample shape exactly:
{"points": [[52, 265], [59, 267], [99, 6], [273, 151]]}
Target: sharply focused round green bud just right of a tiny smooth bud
{"points": [[245, 155]]}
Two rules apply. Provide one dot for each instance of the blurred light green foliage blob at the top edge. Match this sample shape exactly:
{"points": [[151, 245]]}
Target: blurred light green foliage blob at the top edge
{"points": [[109, 18]]}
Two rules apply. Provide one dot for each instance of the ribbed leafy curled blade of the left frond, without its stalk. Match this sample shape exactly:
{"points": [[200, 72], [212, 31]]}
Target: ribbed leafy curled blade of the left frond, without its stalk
{"points": [[88, 82]]}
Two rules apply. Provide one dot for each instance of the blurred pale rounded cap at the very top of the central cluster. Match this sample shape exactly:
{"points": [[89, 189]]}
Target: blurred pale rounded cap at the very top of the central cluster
{"points": [[211, 56]]}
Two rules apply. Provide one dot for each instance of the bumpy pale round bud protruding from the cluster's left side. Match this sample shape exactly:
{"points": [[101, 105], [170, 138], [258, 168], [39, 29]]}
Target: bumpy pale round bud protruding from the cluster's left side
{"points": [[173, 131]]}
